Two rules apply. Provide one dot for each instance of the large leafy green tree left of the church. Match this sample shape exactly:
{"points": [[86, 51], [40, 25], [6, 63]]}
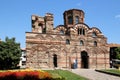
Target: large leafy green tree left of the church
{"points": [[10, 53]]}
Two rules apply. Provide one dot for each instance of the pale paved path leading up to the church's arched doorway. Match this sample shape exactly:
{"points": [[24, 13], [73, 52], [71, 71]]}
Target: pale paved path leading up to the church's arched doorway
{"points": [[93, 75]]}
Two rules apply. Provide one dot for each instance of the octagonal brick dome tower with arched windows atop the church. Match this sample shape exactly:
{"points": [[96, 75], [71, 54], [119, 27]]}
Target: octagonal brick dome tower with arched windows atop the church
{"points": [[72, 17]]}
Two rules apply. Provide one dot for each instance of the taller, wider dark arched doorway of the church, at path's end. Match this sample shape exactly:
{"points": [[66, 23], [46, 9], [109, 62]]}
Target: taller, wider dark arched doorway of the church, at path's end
{"points": [[84, 59]]}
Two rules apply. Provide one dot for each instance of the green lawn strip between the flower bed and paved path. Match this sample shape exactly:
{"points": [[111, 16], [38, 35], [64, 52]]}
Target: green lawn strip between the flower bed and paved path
{"points": [[66, 74]]}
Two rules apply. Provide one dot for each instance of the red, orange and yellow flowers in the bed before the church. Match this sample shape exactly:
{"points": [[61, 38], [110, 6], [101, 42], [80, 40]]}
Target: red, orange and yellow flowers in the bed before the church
{"points": [[26, 74]]}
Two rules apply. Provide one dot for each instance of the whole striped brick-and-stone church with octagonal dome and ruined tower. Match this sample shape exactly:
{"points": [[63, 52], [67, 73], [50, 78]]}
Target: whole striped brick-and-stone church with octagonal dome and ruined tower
{"points": [[72, 45]]}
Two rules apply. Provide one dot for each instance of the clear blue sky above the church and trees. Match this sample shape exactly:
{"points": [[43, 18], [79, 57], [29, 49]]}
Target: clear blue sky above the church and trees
{"points": [[15, 16]]}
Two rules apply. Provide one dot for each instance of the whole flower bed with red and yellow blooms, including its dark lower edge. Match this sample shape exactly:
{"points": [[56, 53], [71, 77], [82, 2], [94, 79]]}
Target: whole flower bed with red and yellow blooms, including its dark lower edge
{"points": [[24, 75]]}
